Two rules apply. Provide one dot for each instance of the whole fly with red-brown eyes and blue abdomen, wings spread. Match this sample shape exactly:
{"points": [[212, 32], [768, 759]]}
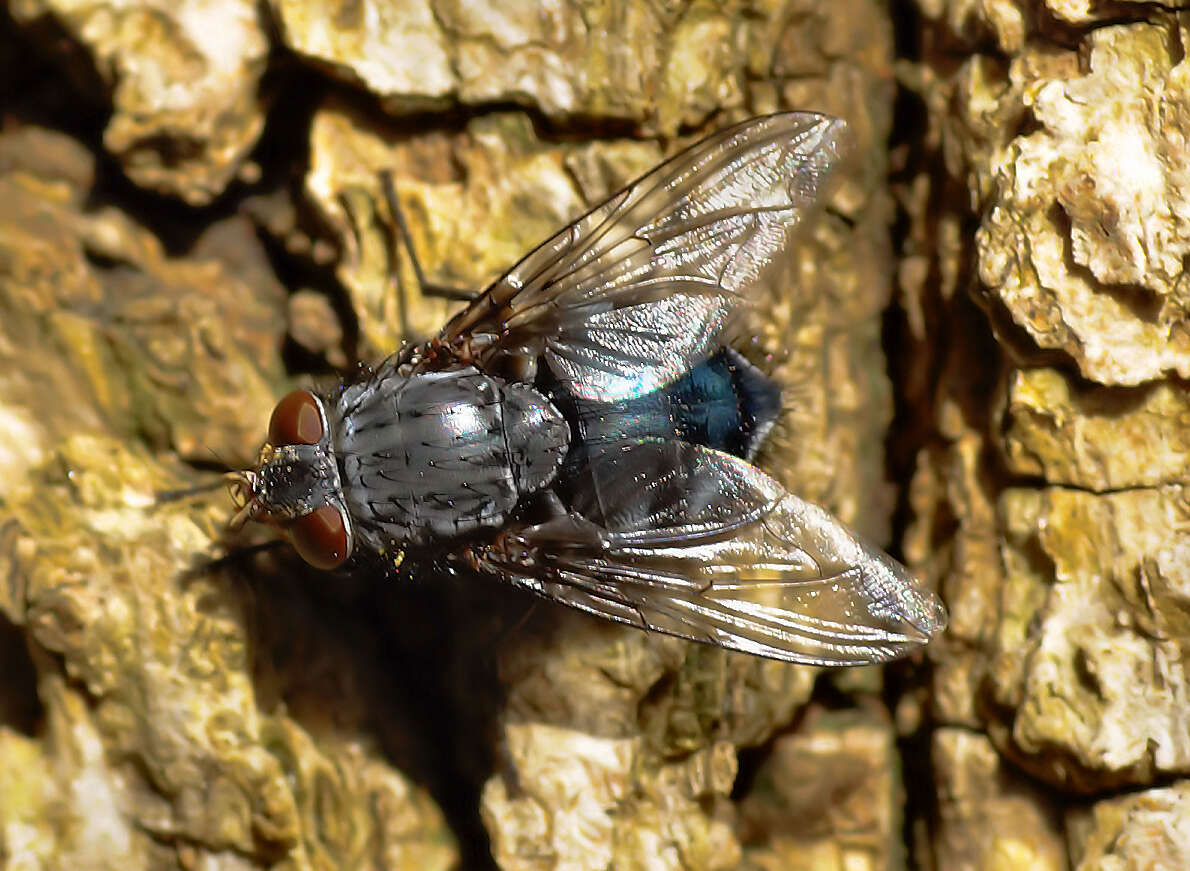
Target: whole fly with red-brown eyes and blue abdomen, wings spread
{"points": [[581, 431]]}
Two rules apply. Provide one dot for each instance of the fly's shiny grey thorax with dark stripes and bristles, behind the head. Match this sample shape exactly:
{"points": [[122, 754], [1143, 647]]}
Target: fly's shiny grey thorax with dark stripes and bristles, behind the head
{"points": [[440, 455]]}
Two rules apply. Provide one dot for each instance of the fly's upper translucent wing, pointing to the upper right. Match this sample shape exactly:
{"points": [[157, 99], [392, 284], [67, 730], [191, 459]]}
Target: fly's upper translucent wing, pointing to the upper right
{"points": [[631, 296]]}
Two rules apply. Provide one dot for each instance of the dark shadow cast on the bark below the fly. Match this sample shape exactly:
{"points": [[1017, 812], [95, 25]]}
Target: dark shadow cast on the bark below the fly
{"points": [[408, 659]]}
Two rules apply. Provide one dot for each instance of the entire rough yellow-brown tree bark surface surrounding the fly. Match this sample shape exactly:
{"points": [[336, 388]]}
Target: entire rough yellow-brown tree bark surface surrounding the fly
{"points": [[192, 222]]}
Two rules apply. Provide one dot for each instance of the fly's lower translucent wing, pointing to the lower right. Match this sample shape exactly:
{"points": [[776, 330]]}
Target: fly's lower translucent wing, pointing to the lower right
{"points": [[686, 541]]}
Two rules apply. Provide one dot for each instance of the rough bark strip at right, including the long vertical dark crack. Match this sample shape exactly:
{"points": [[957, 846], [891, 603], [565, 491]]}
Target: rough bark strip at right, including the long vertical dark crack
{"points": [[1047, 184]]}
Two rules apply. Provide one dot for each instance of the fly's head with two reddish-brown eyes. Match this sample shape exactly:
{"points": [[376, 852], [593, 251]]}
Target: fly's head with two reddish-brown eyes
{"points": [[297, 486]]}
